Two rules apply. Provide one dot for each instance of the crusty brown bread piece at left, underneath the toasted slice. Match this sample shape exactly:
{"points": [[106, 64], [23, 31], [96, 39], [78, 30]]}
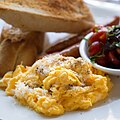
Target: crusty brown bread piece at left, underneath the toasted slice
{"points": [[18, 47]]}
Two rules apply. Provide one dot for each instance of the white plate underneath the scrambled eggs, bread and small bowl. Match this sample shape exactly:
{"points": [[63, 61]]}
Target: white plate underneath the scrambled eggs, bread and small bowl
{"points": [[105, 110]]}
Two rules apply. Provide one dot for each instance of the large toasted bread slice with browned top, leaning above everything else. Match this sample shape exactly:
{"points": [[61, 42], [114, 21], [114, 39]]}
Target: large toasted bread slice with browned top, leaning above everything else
{"points": [[71, 16]]}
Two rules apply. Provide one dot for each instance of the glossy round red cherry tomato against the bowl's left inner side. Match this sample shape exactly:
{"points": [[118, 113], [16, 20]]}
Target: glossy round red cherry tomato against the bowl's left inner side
{"points": [[95, 48]]}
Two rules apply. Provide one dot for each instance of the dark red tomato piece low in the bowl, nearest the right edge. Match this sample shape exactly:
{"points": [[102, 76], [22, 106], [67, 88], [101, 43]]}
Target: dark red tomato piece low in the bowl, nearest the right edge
{"points": [[113, 58]]}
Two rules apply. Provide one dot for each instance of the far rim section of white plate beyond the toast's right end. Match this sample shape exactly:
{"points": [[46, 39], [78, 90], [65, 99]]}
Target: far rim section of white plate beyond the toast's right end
{"points": [[103, 11]]}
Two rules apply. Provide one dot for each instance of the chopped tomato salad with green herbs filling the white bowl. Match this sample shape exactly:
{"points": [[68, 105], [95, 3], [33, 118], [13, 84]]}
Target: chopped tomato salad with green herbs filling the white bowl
{"points": [[104, 46]]}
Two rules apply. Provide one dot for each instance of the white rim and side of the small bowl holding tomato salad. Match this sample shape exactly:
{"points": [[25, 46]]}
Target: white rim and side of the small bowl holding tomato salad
{"points": [[84, 54]]}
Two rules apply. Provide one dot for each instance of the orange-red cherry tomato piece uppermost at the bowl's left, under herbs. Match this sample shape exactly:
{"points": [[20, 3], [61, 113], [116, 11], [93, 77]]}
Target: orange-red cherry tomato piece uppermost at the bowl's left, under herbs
{"points": [[98, 36]]}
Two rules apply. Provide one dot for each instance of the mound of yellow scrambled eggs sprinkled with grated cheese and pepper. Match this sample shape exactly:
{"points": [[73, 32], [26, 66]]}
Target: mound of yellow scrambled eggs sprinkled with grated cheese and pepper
{"points": [[56, 84]]}
